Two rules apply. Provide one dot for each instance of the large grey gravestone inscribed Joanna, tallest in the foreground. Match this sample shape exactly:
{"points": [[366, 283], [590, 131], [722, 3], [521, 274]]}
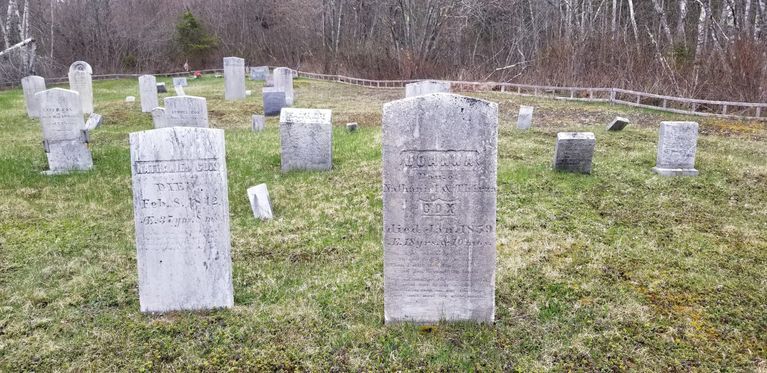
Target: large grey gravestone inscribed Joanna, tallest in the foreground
{"points": [[439, 198]]}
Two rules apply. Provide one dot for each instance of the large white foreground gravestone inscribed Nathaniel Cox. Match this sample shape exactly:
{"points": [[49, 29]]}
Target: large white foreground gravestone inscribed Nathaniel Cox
{"points": [[181, 210]]}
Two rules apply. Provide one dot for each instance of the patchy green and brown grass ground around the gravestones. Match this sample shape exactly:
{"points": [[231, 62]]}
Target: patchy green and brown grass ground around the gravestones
{"points": [[618, 270]]}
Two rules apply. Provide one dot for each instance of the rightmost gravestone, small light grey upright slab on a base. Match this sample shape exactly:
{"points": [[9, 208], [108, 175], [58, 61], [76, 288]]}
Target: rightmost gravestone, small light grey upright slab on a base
{"points": [[676, 149]]}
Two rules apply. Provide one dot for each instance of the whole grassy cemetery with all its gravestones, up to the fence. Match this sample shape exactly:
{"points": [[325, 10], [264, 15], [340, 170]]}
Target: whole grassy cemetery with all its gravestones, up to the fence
{"points": [[320, 226]]}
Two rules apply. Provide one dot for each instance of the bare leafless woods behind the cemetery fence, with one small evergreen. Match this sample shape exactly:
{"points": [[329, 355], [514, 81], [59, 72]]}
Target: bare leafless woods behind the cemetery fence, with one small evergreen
{"points": [[712, 49]]}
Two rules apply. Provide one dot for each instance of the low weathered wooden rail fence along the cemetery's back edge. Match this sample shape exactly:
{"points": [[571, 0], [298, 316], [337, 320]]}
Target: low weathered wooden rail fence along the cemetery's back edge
{"points": [[679, 105]]}
